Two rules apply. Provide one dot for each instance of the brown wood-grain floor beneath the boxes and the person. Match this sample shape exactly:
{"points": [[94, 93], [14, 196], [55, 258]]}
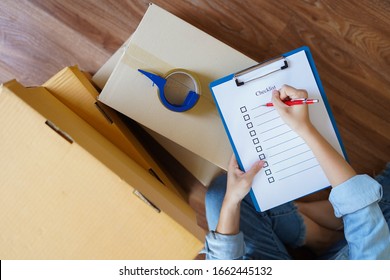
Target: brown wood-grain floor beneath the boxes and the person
{"points": [[350, 42]]}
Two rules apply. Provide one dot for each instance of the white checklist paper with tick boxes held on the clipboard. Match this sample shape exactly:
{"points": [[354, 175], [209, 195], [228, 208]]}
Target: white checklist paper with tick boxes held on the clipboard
{"points": [[258, 133]]}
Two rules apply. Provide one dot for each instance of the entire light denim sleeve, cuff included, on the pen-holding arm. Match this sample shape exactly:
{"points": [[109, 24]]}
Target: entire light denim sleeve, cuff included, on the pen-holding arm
{"points": [[365, 227]]}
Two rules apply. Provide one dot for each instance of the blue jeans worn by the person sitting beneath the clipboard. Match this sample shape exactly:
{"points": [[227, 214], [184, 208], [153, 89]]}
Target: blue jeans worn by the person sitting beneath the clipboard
{"points": [[268, 234]]}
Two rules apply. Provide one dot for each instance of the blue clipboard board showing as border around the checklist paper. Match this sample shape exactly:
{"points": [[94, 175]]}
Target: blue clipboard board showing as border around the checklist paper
{"points": [[283, 66]]}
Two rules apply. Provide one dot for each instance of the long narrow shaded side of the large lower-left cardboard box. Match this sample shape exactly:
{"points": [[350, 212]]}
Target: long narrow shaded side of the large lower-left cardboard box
{"points": [[109, 155]]}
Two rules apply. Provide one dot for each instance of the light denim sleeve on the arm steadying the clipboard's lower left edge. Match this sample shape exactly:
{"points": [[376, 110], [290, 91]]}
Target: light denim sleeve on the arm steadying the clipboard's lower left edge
{"points": [[224, 247]]}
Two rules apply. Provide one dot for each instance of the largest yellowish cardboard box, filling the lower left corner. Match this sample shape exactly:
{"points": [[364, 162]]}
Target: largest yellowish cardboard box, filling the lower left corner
{"points": [[66, 192]]}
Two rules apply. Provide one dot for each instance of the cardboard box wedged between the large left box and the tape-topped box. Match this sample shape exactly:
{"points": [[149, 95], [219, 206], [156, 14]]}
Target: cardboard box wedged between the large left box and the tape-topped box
{"points": [[73, 89]]}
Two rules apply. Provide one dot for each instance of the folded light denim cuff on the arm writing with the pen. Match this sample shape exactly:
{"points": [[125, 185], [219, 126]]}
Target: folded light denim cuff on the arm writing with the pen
{"points": [[354, 194]]}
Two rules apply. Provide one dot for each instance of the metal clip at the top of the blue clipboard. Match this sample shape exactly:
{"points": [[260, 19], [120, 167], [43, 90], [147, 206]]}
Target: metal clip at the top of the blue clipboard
{"points": [[260, 70]]}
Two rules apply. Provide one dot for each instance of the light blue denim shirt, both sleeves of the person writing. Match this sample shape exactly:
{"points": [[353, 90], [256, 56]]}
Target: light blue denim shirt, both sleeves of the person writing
{"points": [[365, 227]]}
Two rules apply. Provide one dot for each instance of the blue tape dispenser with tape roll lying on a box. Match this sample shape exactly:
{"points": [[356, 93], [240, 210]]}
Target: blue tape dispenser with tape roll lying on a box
{"points": [[178, 90]]}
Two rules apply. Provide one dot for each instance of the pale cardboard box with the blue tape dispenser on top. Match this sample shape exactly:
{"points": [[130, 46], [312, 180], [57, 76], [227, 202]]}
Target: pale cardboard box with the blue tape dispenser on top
{"points": [[163, 42]]}
